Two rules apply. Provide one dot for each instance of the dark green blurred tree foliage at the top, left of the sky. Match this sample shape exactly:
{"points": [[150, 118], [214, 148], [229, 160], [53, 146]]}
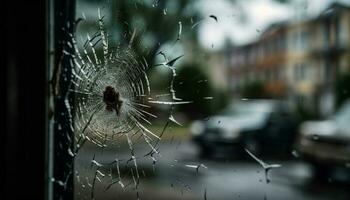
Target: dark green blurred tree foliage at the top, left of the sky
{"points": [[138, 19]]}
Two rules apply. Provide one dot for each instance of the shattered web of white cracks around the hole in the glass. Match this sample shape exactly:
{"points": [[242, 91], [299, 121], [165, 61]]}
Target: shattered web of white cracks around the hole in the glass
{"points": [[113, 108]]}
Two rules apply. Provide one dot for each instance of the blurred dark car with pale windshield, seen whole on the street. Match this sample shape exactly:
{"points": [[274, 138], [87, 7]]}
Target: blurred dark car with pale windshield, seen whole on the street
{"points": [[261, 126]]}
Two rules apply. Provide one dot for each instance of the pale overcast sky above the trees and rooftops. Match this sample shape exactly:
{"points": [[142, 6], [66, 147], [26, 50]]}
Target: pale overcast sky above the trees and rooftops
{"points": [[243, 21]]}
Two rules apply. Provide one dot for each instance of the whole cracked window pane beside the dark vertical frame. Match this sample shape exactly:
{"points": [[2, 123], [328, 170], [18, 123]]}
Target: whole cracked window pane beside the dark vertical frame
{"points": [[207, 100]]}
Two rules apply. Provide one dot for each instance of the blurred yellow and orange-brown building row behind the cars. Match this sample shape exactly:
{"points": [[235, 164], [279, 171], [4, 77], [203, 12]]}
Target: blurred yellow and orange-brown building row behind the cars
{"points": [[297, 61]]}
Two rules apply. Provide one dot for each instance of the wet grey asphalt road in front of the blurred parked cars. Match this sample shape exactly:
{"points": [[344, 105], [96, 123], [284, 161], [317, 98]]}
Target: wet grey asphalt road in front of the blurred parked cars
{"points": [[222, 179]]}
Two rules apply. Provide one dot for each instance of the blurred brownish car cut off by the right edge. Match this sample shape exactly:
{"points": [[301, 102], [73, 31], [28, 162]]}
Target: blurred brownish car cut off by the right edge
{"points": [[326, 144]]}
